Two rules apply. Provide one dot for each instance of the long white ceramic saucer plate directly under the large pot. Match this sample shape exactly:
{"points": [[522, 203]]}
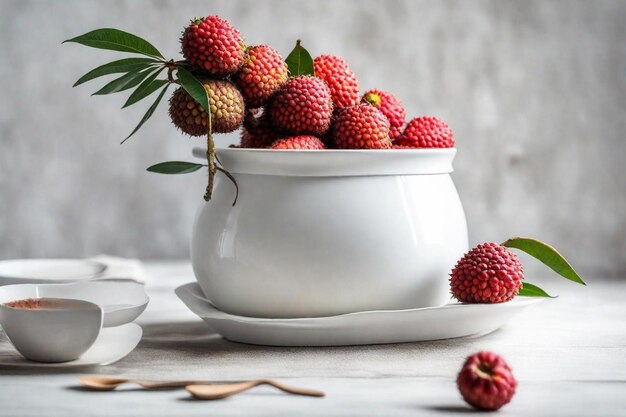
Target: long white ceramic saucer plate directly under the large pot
{"points": [[362, 328]]}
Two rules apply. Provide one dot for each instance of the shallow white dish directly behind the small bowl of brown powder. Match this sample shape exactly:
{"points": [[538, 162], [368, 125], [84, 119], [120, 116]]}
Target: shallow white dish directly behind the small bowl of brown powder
{"points": [[122, 301]]}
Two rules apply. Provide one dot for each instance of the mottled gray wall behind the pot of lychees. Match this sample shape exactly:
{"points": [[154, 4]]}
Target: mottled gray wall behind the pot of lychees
{"points": [[534, 90]]}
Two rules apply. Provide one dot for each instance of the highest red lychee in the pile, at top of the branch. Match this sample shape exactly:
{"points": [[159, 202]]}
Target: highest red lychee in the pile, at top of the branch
{"points": [[213, 46]]}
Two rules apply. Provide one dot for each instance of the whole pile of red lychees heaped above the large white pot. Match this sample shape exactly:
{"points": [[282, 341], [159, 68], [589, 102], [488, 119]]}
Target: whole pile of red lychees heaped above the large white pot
{"points": [[252, 87]]}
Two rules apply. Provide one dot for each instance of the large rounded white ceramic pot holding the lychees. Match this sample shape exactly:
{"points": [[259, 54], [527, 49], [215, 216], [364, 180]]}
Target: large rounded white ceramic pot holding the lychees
{"points": [[318, 233]]}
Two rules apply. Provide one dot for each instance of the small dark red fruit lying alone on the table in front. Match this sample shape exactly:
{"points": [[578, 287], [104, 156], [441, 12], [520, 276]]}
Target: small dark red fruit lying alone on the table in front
{"points": [[486, 381]]}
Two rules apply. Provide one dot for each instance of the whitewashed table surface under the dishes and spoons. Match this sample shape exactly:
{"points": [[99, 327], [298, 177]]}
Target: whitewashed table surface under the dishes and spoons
{"points": [[568, 354]]}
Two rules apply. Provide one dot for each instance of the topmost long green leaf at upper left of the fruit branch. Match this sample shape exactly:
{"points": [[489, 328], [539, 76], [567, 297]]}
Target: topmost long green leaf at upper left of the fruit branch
{"points": [[116, 40]]}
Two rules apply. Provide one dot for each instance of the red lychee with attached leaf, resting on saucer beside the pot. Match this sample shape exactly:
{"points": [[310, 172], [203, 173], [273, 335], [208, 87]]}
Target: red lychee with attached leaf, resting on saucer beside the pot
{"points": [[489, 273]]}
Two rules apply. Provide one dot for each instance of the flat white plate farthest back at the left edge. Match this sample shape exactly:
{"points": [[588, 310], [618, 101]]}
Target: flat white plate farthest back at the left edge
{"points": [[30, 271]]}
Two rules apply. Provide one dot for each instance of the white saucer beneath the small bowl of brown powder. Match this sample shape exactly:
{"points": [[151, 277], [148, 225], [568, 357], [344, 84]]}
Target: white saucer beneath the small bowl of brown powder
{"points": [[111, 345]]}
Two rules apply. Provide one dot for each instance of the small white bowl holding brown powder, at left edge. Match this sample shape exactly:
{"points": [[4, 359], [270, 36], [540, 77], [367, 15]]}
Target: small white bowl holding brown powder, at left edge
{"points": [[52, 334]]}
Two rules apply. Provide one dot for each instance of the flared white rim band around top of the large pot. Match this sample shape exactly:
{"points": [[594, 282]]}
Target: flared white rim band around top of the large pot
{"points": [[336, 162]]}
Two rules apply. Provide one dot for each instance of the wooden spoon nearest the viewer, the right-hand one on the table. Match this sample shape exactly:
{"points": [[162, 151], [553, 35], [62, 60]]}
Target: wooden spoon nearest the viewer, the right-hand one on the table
{"points": [[216, 392]]}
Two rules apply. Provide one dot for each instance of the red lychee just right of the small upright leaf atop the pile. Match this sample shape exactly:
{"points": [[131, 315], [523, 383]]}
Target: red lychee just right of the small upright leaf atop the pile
{"points": [[343, 84]]}
